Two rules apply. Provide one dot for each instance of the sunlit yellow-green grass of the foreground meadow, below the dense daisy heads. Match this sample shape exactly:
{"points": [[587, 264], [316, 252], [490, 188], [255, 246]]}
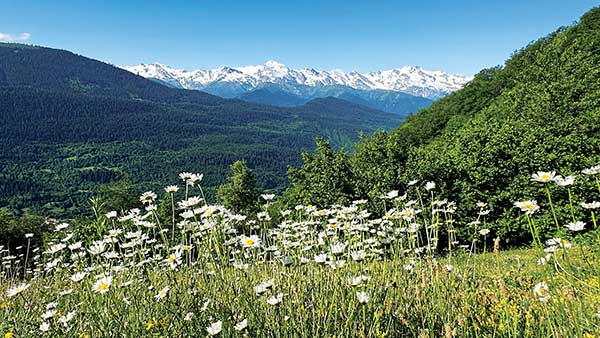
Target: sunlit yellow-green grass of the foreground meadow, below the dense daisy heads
{"points": [[483, 295]]}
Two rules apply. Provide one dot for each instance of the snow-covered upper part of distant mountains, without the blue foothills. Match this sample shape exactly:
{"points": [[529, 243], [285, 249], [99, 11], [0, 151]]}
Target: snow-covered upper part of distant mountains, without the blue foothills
{"points": [[235, 81]]}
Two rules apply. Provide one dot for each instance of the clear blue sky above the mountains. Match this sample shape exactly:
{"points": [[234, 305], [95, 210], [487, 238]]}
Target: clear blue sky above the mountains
{"points": [[454, 36]]}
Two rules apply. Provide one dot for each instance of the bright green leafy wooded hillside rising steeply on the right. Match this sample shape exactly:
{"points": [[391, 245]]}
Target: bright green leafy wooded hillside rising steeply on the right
{"points": [[541, 110]]}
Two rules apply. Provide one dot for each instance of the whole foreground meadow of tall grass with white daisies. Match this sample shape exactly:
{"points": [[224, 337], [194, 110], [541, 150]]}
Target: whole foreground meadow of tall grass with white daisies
{"points": [[188, 268]]}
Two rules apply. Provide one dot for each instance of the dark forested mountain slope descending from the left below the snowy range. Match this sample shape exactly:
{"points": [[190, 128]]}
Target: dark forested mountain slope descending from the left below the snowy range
{"points": [[71, 123]]}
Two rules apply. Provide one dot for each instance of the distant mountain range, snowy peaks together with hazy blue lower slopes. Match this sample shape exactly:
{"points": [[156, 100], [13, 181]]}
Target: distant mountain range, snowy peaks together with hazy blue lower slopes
{"points": [[402, 90]]}
